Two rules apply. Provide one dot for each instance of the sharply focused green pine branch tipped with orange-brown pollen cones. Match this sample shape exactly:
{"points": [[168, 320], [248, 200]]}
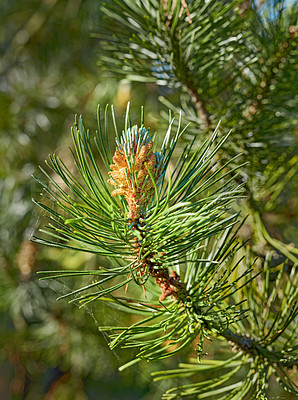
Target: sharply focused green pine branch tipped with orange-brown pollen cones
{"points": [[172, 230]]}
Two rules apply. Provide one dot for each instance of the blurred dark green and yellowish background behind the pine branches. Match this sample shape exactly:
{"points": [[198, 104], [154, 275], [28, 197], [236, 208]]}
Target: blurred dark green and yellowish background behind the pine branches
{"points": [[48, 72]]}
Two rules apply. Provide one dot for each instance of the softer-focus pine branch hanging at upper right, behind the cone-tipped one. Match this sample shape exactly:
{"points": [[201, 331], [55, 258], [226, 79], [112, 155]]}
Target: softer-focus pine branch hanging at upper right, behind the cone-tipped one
{"points": [[224, 60]]}
